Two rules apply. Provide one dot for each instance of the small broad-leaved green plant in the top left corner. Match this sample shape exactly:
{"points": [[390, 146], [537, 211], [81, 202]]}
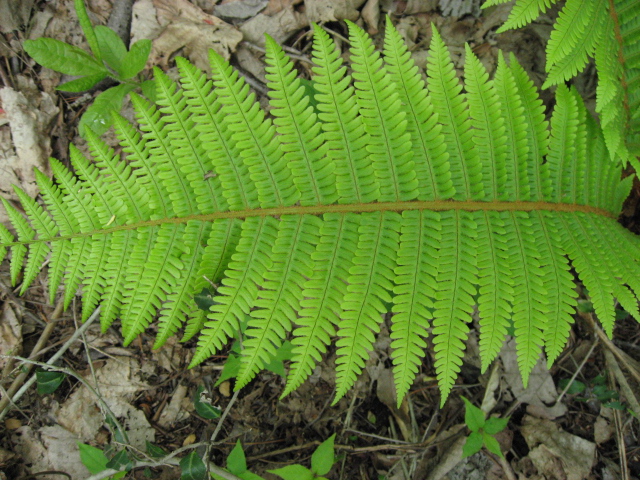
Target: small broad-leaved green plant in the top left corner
{"points": [[109, 57]]}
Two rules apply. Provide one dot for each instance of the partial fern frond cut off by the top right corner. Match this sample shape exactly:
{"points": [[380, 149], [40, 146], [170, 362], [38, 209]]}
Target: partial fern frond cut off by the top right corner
{"points": [[607, 31]]}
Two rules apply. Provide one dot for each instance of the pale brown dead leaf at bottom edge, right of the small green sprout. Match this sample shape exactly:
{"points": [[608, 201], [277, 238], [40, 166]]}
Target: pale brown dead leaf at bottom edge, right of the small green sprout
{"points": [[556, 453]]}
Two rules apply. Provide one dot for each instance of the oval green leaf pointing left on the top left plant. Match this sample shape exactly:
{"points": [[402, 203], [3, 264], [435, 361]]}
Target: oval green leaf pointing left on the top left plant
{"points": [[62, 57]]}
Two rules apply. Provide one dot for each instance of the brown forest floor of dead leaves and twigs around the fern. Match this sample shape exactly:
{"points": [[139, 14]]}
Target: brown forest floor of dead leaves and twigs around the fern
{"points": [[552, 434]]}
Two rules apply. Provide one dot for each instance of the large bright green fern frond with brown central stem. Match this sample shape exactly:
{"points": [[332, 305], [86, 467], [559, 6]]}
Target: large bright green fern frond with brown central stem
{"points": [[382, 199]]}
